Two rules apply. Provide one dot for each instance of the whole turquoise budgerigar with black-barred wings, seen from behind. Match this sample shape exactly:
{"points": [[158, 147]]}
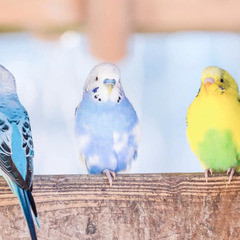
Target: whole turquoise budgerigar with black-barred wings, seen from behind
{"points": [[16, 148]]}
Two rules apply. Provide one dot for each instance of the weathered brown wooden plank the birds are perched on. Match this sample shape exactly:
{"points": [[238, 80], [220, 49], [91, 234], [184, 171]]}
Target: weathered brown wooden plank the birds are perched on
{"points": [[138, 206]]}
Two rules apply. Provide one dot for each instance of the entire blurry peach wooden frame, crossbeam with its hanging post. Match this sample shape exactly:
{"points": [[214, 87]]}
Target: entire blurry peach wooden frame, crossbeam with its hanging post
{"points": [[108, 23]]}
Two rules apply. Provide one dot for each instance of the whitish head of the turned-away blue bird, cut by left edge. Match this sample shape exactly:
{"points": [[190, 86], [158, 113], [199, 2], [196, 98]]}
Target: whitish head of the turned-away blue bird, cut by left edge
{"points": [[7, 82]]}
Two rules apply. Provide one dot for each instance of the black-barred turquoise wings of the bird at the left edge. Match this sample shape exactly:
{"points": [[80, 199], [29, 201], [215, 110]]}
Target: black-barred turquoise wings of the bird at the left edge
{"points": [[16, 133]]}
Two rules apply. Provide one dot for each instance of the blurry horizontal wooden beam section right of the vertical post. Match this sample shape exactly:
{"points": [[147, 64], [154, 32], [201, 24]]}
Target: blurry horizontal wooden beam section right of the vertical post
{"points": [[175, 15]]}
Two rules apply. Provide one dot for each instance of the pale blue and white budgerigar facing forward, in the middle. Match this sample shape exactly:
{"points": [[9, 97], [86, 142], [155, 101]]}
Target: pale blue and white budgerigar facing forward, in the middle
{"points": [[106, 124]]}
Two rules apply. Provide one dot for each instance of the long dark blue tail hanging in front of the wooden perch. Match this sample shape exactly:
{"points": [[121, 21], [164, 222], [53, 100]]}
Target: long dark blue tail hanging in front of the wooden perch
{"points": [[26, 201]]}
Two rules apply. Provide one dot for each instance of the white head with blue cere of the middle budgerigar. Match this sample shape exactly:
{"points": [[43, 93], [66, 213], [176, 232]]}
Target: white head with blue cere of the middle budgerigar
{"points": [[103, 83]]}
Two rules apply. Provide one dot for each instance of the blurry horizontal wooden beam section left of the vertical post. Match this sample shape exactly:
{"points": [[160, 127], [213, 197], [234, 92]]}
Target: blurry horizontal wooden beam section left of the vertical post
{"points": [[41, 15]]}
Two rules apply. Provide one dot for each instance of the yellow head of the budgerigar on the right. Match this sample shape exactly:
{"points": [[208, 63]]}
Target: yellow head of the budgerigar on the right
{"points": [[216, 81]]}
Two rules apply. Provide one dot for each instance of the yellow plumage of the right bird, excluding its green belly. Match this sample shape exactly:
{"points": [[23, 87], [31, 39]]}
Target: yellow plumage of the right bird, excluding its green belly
{"points": [[216, 106]]}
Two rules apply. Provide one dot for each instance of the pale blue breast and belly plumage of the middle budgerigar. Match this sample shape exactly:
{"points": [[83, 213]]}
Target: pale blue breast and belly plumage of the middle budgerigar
{"points": [[100, 121]]}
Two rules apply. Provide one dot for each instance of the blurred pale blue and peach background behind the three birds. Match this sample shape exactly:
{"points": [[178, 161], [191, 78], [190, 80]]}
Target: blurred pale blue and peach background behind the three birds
{"points": [[160, 46]]}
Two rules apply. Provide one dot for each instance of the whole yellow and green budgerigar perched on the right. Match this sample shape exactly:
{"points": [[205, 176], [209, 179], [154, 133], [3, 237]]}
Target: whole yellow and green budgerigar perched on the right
{"points": [[213, 122]]}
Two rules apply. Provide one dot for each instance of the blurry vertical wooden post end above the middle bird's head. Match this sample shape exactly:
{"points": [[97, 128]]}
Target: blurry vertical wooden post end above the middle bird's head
{"points": [[109, 24]]}
